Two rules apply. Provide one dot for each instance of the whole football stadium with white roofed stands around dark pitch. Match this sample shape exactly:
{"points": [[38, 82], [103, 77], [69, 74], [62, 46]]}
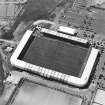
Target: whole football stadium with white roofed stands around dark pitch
{"points": [[55, 55]]}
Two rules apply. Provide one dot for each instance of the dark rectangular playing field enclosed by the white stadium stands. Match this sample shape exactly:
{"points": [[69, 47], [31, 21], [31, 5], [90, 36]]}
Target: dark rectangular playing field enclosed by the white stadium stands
{"points": [[57, 55]]}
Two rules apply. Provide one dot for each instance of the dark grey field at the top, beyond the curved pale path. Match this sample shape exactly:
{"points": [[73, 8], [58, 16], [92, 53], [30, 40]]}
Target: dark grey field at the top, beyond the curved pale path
{"points": [[38, 9]]}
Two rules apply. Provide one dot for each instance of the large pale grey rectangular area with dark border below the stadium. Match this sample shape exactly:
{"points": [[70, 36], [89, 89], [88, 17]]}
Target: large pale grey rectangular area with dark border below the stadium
{"points": [[41, 95]]}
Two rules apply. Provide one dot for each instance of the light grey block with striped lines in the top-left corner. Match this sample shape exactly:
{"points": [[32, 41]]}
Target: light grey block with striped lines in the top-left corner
{"points": [[9, 10]]}
